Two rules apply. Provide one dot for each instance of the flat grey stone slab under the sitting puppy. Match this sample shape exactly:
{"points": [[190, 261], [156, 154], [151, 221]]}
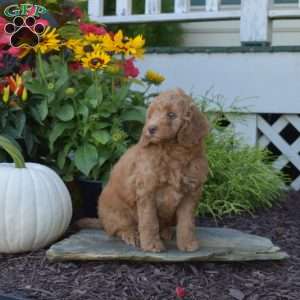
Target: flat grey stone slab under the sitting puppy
{"points": [[218, 244]]}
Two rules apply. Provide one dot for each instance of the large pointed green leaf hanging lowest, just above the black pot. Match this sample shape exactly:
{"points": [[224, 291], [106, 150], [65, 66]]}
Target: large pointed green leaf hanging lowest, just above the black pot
{"points": [[86, 157]]}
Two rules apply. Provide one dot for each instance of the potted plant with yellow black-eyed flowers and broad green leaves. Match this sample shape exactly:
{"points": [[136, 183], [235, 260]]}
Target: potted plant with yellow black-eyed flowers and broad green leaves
{"points": [[85, 110]]}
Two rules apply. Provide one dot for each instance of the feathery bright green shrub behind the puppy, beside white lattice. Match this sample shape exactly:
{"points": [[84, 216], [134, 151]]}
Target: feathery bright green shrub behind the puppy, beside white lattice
{"points": [[241, 177]]}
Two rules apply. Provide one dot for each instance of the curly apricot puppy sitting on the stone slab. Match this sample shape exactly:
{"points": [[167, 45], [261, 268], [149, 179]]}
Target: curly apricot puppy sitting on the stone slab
{"points": [[157, 183]]}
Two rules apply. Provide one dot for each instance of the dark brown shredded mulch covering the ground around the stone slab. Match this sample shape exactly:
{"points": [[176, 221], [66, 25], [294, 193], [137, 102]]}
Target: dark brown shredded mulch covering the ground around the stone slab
{"points": [[31, 276]]}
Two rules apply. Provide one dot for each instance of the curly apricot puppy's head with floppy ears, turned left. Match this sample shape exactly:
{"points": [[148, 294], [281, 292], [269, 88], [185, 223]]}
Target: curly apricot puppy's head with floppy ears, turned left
{"points": [[173, 116]]}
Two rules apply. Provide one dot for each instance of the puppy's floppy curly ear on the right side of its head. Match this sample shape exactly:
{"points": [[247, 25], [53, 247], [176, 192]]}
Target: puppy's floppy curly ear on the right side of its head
{"points": [[194, 128]]}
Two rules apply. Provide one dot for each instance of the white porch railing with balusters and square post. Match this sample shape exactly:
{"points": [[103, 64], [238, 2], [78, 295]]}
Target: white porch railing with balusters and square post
{"points": [[256, 16]]}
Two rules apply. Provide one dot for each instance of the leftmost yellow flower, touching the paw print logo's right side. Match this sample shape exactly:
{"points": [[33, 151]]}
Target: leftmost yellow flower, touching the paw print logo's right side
{"points": [[49, 41]]}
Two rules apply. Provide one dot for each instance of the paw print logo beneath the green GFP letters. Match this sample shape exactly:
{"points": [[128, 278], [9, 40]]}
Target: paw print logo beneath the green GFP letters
{"points": [[24, 31]]}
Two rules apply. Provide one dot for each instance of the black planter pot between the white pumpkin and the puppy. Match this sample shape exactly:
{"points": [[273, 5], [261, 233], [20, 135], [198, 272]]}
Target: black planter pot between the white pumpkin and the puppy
{"points": [[90, 191]]}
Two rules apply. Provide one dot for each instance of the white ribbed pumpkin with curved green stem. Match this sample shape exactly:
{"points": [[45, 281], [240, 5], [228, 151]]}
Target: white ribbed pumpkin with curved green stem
{"points": [[35, 205]]}
